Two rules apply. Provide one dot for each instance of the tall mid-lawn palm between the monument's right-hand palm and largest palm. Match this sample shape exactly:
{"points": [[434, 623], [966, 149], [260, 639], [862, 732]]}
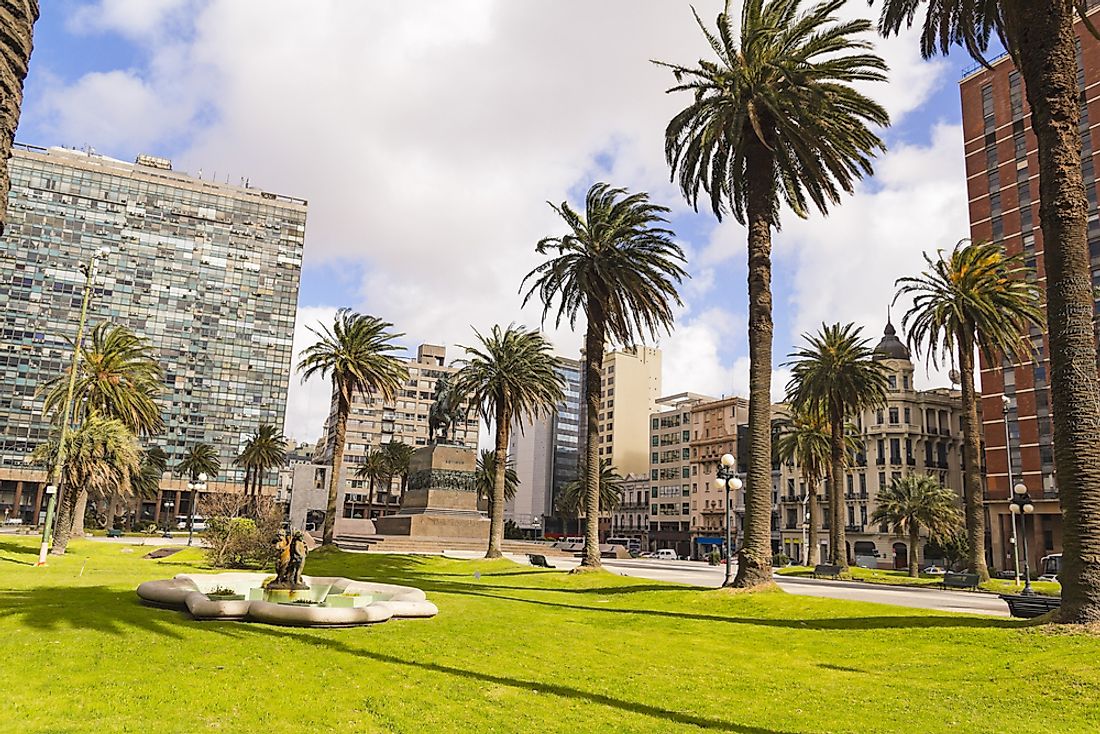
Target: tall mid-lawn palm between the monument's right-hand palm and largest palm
{"points": [[620, 267]]}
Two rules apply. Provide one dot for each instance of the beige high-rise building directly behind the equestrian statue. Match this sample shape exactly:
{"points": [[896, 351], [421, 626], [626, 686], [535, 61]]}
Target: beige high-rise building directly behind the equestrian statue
{"points": [[375, 422]]}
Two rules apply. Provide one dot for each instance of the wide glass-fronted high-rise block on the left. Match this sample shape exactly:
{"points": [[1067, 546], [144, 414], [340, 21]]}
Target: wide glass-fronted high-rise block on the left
{"points": [[207, 272]]}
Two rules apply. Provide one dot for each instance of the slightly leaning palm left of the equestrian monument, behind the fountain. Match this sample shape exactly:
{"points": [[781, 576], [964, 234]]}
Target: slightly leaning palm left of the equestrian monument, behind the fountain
{"points": [[357, 353]]}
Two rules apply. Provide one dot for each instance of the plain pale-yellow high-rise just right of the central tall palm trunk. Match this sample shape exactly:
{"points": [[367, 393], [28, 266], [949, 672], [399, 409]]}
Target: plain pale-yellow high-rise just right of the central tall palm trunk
{"points": [[632, 381]]}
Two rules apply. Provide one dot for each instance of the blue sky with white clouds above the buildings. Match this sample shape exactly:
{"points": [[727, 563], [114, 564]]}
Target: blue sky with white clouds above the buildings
{"points": [[428, 136]]}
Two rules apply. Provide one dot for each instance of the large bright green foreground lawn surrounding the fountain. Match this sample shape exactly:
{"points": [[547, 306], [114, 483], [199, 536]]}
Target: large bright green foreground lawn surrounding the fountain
{"points": [[519, 650]]}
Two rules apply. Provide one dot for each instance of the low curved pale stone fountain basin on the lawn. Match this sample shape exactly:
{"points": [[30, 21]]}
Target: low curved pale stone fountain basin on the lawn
{"points": [[349, 602]]}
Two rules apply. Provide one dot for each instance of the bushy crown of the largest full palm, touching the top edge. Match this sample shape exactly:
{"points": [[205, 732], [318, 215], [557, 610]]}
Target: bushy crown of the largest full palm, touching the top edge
{"points": [[784, 82]]}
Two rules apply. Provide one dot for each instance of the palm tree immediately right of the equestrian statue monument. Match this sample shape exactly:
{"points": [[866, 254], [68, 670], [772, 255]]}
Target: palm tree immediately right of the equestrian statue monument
{"points": [[512, 378]]}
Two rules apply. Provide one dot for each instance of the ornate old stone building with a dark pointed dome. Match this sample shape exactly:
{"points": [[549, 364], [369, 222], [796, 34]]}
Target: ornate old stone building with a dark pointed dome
{"points": [[916, 432]]}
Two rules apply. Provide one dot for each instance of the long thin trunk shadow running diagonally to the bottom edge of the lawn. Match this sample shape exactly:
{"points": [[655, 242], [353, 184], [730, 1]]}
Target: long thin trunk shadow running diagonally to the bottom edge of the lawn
{"points": [[533, 686]]}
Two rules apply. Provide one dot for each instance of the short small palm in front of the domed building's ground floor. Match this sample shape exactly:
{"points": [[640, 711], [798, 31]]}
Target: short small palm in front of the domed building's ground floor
{"points": [[917, 502]]}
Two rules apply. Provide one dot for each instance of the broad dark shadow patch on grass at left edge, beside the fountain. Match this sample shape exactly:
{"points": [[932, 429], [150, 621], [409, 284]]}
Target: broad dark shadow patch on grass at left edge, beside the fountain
{"points": [[100, 609]]}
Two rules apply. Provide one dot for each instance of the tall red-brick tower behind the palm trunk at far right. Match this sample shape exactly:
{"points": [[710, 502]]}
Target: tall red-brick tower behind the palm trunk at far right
{"points": [[1003, 189]]}
